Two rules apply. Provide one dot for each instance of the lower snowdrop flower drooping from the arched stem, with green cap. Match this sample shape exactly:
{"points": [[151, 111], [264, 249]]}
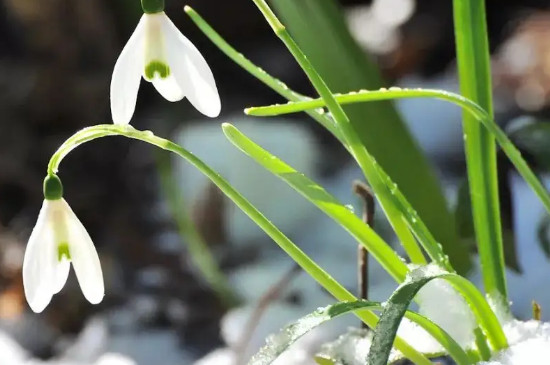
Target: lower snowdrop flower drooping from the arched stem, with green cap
{"points": [[57, 240]]}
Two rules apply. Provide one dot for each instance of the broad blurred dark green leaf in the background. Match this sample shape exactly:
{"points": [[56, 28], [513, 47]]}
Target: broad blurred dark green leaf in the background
{"points": [[321, 32]]}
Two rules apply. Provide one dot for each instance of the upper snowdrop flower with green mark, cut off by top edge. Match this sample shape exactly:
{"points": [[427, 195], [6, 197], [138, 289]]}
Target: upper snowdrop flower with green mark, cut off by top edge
{"points": [[163, 56]]}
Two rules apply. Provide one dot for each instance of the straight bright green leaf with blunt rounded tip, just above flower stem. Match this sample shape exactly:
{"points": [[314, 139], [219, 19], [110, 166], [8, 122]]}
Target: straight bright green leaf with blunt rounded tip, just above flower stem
{"points": [[316, 194]]}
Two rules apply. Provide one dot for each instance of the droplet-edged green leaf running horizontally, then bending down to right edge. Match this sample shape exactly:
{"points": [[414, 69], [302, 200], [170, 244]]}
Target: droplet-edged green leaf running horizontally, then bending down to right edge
{"points": [[477, 112]]}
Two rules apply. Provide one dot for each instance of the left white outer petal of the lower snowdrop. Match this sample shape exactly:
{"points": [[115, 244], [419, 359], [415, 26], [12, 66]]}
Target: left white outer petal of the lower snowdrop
{"points": [[38, 265]]}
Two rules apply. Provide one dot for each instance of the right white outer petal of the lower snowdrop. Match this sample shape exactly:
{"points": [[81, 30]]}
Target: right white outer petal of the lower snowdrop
{"points": [[85, 259]]}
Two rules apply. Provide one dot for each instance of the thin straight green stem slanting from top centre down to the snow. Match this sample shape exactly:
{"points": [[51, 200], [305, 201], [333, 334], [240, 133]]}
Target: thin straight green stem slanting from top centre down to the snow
{"points": [[351, 139]]}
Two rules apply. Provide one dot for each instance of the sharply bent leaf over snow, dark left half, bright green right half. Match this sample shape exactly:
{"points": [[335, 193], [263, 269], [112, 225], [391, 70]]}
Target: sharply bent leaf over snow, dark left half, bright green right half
{"points": [[397, 305]]}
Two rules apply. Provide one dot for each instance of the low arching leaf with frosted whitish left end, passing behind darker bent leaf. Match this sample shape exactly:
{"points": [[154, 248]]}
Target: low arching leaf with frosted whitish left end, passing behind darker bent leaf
{"points": [[281, 341]]}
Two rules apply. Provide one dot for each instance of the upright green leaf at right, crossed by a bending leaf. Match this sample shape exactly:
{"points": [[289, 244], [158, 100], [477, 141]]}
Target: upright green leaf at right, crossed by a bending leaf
{"points": [[472, 50]]}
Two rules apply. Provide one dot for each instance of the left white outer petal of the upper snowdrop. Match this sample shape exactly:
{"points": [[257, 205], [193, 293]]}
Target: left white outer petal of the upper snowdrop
{"points": [[127, 76]]}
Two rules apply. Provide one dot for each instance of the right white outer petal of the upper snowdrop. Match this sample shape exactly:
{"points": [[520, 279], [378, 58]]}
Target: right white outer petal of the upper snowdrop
{"points": [[191, 71]]}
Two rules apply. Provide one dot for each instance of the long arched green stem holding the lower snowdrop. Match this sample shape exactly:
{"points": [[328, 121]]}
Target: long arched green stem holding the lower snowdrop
{"points": [[305, 262]]}
